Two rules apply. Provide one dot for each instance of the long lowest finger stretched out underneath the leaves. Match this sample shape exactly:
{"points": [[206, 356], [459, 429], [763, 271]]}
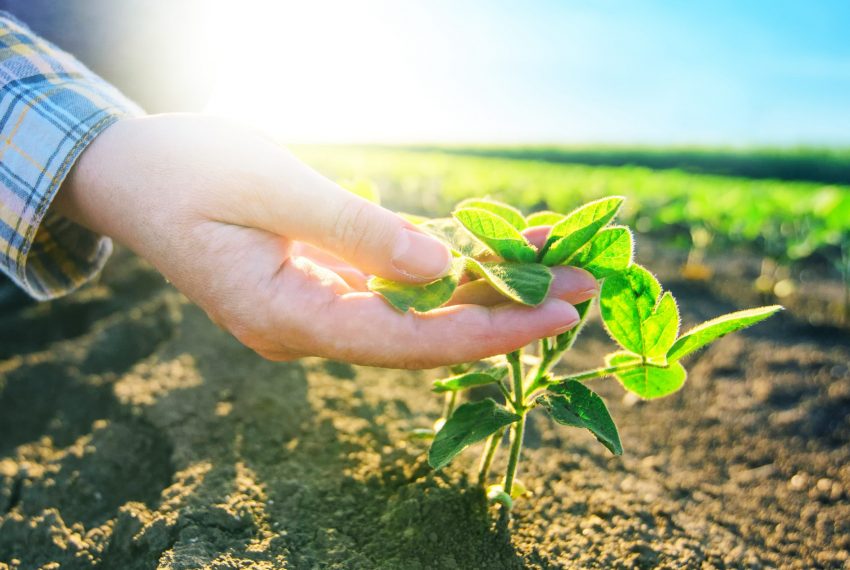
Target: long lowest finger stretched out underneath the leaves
{"points": [[362, 328]]}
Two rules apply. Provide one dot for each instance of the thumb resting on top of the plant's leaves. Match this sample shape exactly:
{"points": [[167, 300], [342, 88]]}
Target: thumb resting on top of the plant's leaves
{"points": [[312, 209]]}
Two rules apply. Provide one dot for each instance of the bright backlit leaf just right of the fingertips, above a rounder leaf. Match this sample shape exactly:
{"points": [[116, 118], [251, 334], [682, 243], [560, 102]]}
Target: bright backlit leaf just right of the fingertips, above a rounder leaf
{"points": [[634, 315]]}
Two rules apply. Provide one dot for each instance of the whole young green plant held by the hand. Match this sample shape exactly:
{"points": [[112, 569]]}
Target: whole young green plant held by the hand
{"points": [[488, 245]]}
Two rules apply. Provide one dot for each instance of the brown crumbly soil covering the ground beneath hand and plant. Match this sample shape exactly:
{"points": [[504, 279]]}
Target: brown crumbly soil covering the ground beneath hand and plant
{"points": [[135, 434]]}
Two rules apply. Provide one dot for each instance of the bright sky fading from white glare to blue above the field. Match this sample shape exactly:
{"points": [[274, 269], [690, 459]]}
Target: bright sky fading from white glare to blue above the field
{"points": [[731, 73]]}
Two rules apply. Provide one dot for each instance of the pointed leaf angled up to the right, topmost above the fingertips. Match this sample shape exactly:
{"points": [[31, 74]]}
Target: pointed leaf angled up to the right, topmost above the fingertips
{"points": [[575, 230]]}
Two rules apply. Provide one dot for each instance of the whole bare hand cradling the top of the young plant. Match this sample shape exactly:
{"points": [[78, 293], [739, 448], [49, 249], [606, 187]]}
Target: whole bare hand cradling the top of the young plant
{"points": [[279, 255]]}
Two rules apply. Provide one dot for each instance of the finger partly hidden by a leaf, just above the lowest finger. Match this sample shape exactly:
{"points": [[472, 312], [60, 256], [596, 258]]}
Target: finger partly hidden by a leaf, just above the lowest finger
{"points": [[569, 284]]}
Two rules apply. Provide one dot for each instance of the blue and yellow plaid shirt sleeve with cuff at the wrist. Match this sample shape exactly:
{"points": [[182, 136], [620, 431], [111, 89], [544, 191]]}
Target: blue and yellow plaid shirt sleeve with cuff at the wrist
{"points": [[51, 108]]}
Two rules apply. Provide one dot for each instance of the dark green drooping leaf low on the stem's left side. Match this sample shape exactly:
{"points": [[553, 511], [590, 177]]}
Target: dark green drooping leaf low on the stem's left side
{"points": [[470, 423]]}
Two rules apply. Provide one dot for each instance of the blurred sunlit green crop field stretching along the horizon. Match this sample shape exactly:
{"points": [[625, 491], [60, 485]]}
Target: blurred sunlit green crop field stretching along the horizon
{"points": [[788, 220]]}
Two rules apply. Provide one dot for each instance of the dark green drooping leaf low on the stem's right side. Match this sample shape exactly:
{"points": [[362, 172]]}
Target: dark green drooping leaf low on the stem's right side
{"points": [[574, 404]]}
